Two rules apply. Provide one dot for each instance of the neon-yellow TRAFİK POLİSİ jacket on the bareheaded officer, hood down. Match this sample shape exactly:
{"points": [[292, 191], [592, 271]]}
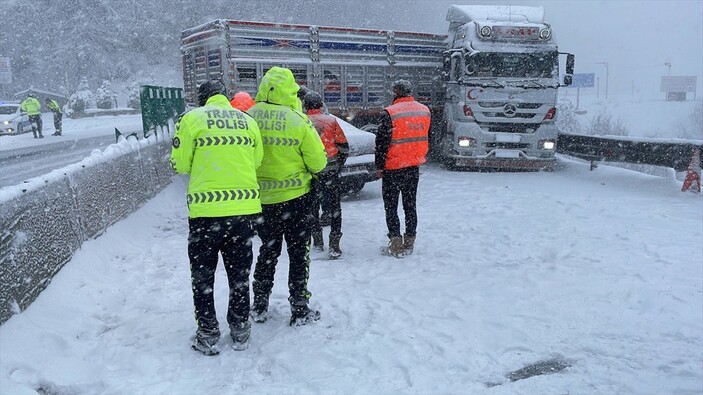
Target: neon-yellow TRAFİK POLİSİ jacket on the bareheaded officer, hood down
{"points": [[220, 147]]}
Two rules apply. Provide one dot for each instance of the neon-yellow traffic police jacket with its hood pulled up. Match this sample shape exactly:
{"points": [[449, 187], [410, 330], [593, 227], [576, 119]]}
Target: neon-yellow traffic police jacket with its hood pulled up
{"points": [[293, 151]]}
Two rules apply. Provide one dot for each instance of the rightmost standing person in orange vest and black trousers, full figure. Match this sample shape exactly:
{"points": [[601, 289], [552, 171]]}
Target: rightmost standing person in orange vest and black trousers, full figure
{"points": [[401, 147]]}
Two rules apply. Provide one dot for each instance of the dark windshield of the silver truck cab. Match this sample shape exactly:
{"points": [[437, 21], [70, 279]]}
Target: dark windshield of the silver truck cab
{"points": [[508, 64]]}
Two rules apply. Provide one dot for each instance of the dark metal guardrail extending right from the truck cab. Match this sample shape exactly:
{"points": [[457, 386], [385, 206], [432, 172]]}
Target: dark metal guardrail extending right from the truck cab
{"points": [[609, 149]]}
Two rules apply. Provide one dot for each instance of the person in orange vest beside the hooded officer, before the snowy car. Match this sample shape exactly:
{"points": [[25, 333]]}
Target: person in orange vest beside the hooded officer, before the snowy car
{"points": [[337, 149]]}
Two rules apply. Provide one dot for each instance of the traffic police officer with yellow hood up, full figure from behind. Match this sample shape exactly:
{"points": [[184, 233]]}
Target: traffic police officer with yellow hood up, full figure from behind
{"points": [[293, 152]]}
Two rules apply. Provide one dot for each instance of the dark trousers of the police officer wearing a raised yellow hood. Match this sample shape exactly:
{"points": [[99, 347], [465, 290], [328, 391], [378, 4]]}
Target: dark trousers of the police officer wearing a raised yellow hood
{"points": [[292, 221]]}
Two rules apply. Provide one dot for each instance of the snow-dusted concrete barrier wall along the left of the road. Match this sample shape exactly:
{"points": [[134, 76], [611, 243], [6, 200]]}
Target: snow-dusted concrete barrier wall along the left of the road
{"points": [[43, 222]]}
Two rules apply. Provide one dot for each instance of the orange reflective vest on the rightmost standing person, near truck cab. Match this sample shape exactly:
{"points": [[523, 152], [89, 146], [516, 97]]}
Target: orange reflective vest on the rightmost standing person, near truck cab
{"points": [[411, 124]]}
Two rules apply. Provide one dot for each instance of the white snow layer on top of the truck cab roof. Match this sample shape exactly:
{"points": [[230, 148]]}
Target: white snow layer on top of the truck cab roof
{"points": [[499, 13]]}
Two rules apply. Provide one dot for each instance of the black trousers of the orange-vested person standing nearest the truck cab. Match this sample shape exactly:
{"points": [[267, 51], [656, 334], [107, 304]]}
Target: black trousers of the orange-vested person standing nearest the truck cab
{"points": [[401, 182]]}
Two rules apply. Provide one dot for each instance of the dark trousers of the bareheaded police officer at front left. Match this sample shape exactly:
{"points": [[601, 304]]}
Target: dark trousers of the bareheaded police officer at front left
{"points": [[231, 237]]}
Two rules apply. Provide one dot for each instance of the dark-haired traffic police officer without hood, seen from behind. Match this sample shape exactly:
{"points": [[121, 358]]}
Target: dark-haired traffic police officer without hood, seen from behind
{"points": [[220, 147]]}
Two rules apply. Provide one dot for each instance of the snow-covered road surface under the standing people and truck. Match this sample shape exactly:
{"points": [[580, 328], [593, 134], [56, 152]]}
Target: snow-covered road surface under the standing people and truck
{"points": [[601, 269]]}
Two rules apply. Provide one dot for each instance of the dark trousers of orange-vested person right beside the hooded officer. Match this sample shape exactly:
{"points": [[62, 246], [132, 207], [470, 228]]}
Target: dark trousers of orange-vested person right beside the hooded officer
{"points": [[329, 198]]}
